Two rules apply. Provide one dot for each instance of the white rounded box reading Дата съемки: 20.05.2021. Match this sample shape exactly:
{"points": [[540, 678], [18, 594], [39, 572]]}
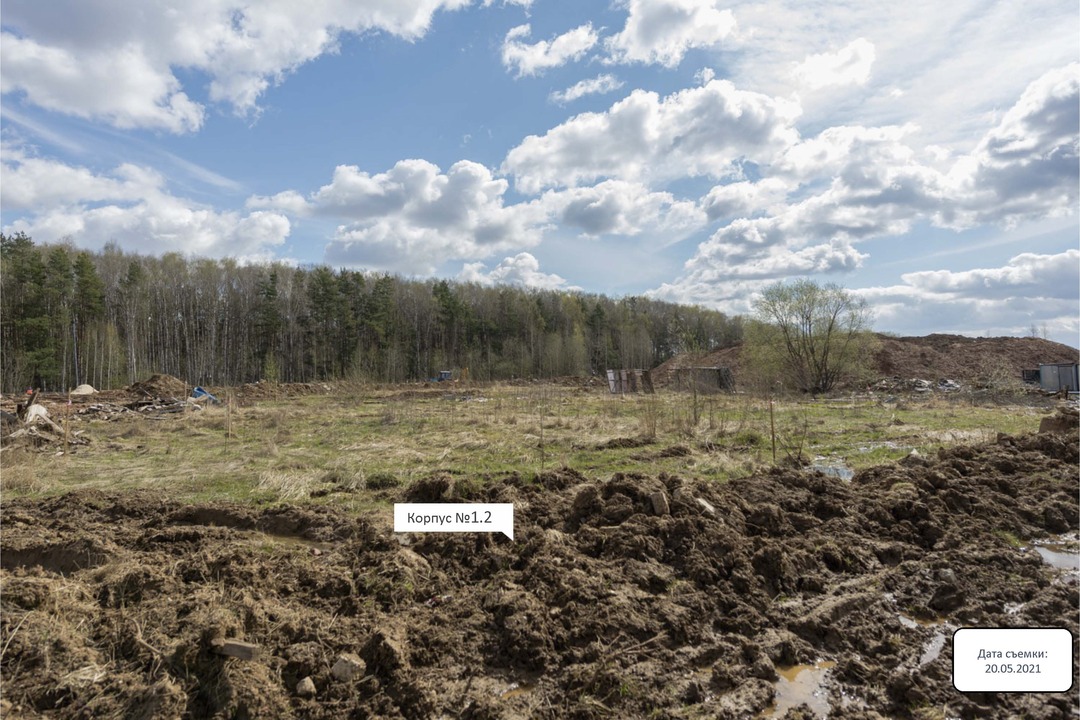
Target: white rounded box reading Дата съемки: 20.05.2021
{"points": [[1035, 660]]}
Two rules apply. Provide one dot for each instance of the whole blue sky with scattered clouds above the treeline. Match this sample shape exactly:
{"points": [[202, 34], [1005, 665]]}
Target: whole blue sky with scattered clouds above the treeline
{"points": [[923, 155]]}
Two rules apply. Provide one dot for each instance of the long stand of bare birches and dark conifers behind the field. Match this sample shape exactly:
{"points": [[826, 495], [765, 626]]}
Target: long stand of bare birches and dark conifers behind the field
{"points": [[110, 318]]}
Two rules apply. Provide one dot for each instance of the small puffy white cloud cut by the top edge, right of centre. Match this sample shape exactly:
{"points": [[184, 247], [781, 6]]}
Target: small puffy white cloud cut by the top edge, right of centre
{"points": [[663, 32]]}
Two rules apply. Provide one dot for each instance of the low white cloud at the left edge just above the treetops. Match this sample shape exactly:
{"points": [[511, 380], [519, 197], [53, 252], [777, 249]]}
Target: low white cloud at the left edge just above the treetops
{"points": [[132, 208]]}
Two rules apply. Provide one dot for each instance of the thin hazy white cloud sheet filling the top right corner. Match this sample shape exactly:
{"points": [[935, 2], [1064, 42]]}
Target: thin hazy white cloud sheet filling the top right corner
{"points": [[939, 66]]}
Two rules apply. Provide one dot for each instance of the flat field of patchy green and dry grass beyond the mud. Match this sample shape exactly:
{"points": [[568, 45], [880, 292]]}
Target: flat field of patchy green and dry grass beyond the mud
{"points": [[285, 450]]}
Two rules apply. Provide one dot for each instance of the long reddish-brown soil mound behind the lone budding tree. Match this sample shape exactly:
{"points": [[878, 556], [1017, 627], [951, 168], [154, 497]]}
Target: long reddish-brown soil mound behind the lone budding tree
{"points": [[934, 358]]}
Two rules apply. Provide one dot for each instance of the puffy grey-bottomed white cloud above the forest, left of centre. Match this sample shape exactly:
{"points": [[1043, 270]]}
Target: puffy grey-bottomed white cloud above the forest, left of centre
{"points": [[414, 218]]}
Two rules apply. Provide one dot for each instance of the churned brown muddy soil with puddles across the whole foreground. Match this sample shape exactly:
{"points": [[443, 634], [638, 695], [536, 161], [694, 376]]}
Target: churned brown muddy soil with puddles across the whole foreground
{"points": [[115, 605]]}
